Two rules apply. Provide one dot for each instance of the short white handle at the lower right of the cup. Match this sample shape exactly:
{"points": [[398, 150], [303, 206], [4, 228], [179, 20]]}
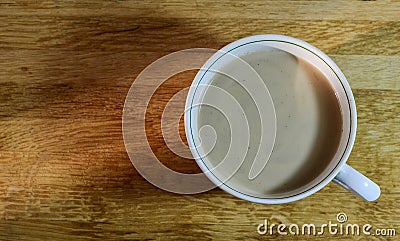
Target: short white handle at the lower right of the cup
{"points": [[358, 184]]}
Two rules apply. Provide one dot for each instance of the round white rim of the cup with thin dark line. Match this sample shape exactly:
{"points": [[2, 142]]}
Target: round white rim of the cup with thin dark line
{"points": [[328, 61]]}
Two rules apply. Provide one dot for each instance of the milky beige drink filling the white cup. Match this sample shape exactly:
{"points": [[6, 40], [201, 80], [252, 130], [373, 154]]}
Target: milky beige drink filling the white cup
{"points": [[308, 125]]}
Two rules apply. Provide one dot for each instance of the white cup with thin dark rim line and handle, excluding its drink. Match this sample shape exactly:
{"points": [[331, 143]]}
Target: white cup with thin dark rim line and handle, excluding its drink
{"points": [[337, 170]]}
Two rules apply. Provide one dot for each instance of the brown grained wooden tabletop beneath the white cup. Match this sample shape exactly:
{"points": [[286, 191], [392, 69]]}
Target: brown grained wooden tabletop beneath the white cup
{"points": [[66, 68]]}
